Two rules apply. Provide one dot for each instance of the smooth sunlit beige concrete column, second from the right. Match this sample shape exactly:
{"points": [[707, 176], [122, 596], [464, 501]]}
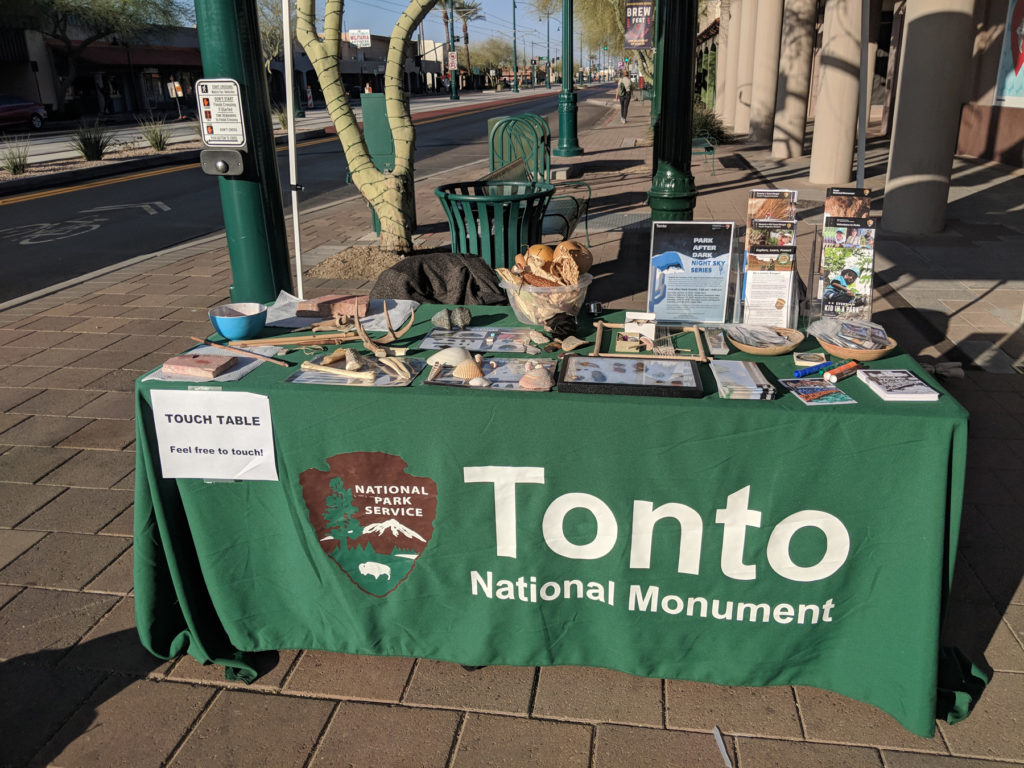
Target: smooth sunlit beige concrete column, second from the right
{"points": [[836, 108]]}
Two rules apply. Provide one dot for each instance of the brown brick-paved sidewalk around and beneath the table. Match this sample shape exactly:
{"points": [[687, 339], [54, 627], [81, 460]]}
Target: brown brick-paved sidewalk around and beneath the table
{"points": [[79, 691]]}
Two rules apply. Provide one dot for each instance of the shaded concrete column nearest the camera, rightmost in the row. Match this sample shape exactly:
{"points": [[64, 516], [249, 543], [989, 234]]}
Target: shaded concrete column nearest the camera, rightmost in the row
{"points": [[937, 46]]}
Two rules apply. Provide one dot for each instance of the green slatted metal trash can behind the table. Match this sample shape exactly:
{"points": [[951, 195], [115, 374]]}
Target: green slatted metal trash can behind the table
{"points": [[495, 220]]}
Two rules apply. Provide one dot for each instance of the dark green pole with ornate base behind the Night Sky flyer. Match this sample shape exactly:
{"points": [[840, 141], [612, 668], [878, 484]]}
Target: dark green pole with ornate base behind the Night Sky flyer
{"points": [[673, 193]]}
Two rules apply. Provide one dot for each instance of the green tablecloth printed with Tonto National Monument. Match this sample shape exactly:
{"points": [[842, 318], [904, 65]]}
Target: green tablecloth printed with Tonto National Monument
{"points": [[806, 546]]}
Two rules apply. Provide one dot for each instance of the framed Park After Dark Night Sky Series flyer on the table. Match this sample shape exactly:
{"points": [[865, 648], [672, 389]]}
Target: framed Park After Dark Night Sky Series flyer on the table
{"points": [[691, 264]]}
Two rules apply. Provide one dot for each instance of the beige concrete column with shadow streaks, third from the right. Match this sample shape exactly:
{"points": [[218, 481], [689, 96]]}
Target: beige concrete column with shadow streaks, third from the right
{"points": [[794, 79]]}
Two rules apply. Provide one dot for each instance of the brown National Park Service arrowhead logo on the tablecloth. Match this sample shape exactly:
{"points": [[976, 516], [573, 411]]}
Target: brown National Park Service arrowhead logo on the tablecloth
{"points": [[371, 517]]}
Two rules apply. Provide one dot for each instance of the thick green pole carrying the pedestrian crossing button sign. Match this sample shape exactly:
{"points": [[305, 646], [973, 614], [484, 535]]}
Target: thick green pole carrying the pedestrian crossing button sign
{"points": [[254, 215]]}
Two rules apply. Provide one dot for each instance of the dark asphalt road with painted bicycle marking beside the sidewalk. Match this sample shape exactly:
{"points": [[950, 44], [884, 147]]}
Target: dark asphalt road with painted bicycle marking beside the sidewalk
{"points": [[56, 235]]}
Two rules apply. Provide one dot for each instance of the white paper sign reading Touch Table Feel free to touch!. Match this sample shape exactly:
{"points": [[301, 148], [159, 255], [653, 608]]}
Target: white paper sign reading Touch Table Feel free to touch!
{"points": [[215, 436]]}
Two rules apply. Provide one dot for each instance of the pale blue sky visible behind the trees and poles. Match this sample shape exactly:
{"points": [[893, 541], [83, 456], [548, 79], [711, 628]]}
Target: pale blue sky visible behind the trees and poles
{"points": [[379, 17]]}
